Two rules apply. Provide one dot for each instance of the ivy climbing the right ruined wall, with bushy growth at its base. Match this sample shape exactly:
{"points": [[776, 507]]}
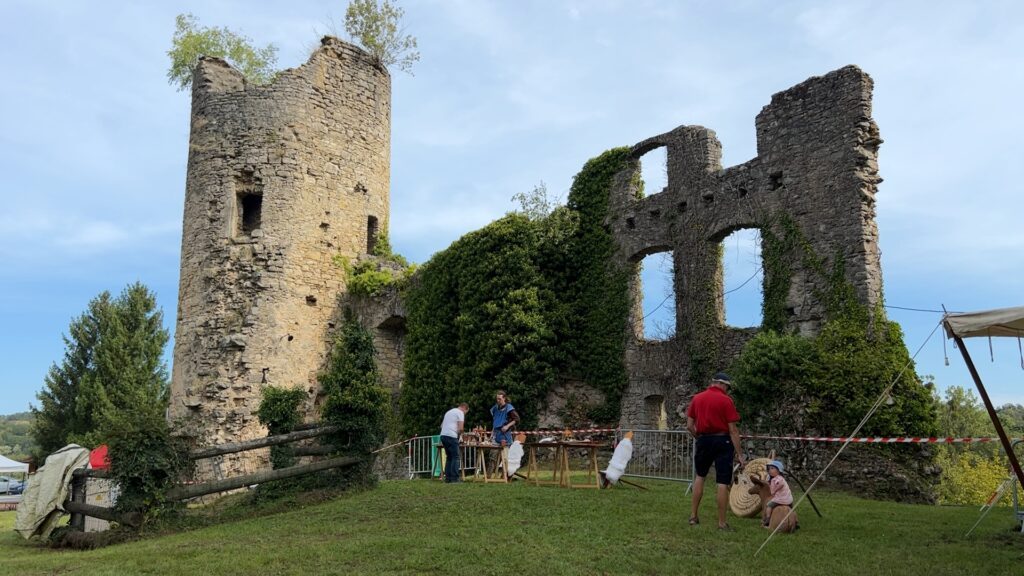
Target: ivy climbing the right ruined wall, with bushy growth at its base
{"points": [[826, 385]]}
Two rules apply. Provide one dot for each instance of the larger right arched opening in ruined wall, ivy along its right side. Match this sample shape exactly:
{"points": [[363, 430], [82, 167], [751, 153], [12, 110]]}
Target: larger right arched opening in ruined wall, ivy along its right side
{"points": [[744, 275]]}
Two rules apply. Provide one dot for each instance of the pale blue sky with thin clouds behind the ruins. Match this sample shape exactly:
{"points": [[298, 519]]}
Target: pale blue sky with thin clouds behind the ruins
{"points": [[94, 141]]}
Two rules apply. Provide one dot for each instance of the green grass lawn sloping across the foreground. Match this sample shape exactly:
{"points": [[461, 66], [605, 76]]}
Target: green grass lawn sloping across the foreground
{"points": [[424, 527]]}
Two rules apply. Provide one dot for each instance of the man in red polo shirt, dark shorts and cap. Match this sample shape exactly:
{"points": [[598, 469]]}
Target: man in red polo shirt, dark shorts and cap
{"points": [[712, 420]]}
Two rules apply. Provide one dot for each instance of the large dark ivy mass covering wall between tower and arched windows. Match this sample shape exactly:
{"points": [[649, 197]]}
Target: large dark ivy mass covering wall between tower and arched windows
{"points": [[517, 305]]}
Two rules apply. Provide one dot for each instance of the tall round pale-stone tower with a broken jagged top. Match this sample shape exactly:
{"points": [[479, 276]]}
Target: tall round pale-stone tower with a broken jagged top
{"points": [[284, 183]]}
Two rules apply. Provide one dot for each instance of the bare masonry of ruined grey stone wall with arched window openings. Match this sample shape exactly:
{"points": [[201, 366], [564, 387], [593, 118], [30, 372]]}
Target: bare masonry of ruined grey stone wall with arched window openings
{"points": [[817, 164]]}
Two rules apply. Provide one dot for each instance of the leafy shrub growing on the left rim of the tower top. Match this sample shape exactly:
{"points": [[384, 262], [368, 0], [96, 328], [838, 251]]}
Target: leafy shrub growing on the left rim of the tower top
{"points": [[190, 43]]}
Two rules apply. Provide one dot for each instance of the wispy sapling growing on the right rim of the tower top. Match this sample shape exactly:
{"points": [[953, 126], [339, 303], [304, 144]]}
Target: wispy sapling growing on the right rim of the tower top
{"points": [[375, 25]]}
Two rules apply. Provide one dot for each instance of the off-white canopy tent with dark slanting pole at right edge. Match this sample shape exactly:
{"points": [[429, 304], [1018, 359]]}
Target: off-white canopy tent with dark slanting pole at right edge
{"points": [[992, 323]]}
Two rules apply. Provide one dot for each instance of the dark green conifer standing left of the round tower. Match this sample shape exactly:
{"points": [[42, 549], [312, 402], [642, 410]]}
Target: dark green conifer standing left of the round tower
{"points": [[113, 363]]}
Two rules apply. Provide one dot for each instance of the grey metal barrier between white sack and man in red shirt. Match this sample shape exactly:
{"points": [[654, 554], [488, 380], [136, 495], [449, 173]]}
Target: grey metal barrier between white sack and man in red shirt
{"points": [[661, 456]]}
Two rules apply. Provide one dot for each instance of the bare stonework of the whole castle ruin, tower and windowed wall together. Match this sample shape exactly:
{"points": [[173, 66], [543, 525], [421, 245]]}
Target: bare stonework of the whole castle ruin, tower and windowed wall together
{"points": [[286, 182]]}
